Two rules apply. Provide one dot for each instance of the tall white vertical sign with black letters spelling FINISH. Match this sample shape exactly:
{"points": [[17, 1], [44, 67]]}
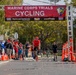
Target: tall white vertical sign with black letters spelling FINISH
{"points": [[70, 21]]}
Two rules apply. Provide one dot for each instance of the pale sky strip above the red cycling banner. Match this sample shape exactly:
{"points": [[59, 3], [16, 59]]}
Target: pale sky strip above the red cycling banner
{"points": [[43, 2]]}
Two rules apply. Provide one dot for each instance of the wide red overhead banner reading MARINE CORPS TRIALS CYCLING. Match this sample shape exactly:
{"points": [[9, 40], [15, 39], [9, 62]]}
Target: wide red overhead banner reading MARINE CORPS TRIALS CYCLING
{"points": [[14, 13]]}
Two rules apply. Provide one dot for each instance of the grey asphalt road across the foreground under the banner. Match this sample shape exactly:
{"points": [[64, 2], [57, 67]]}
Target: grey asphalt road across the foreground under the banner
{"points": [[45, 66]]}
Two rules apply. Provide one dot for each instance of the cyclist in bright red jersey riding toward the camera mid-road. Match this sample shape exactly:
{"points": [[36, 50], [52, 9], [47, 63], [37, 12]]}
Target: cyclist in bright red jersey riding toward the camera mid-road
{"points": [[36, 46]]}
